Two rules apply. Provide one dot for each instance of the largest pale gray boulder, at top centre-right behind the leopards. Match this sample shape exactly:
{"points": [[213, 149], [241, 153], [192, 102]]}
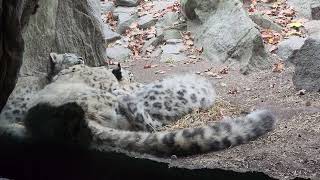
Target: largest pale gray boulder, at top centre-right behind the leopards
{"points": [[228, 34]]}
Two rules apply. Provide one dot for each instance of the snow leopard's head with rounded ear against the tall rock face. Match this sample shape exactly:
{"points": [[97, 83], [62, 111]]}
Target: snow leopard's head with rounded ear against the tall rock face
{"points": [[63, 61]]}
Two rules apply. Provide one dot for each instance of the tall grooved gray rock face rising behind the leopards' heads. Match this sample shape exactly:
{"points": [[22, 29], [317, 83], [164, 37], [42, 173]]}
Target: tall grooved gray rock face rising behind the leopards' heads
{"points": [[63, 26]]}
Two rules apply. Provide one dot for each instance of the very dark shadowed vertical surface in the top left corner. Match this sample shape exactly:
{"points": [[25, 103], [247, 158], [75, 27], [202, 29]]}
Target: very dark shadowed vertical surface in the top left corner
{"points": [[14, 16]]}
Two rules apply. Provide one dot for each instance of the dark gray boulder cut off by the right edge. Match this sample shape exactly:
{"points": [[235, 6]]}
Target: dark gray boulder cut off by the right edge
{"points": [[307, 64]]}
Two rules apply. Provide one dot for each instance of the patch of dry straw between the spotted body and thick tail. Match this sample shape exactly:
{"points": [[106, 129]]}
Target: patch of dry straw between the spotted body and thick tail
{"points": [[203, 117]]}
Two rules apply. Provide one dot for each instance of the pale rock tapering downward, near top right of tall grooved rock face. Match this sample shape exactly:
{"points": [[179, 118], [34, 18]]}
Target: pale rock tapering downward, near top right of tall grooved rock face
{"points": [[126, 16]]}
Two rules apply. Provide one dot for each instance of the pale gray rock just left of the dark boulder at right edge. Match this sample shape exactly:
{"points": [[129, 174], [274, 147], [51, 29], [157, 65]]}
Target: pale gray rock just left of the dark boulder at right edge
{"points": [[288, 46]]}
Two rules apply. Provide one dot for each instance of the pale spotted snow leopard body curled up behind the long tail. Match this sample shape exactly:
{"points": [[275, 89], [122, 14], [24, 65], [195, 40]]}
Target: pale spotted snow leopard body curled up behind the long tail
{"points": [[162, 102]]}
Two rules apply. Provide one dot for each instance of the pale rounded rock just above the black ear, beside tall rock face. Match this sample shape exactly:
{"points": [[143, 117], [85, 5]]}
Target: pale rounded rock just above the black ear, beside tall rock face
{"points": [[118, 53]]}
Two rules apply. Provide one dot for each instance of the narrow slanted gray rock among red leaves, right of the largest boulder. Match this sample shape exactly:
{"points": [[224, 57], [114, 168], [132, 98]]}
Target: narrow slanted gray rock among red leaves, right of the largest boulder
{"points": [[265, 22]]}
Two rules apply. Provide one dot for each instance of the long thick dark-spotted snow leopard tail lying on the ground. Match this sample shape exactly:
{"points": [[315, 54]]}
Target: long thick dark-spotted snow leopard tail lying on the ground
{"points": [[221, 135]]}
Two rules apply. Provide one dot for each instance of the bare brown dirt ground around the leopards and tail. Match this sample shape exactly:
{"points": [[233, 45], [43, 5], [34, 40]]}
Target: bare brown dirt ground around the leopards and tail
{"points": [[292, 150]]}
